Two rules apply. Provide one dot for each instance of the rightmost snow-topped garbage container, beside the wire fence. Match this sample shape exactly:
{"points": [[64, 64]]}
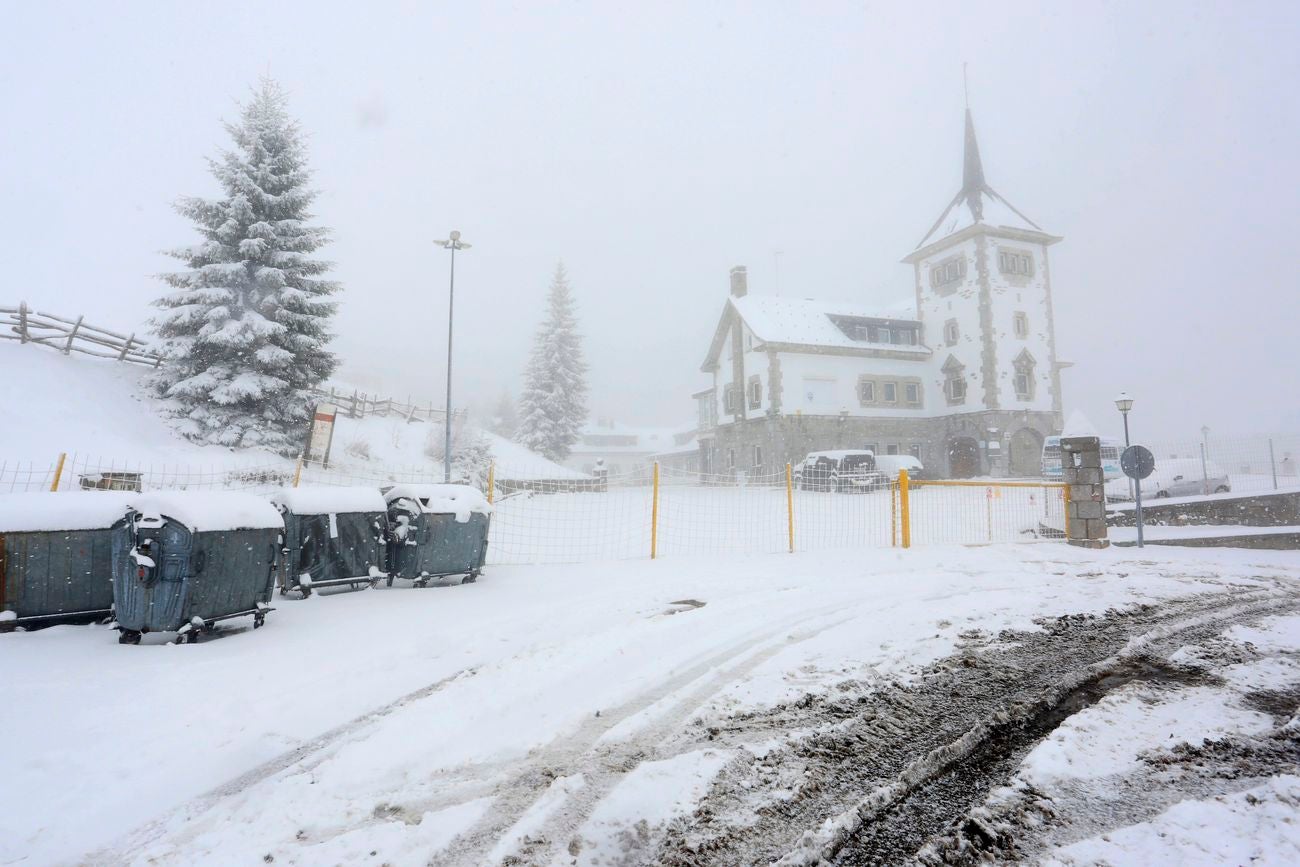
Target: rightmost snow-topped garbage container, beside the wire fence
{"points": [[437, 531]]}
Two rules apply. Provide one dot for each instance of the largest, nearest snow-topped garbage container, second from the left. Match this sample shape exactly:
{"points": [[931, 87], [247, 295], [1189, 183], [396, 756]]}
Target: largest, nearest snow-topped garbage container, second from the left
{"points": [[185, 561]]}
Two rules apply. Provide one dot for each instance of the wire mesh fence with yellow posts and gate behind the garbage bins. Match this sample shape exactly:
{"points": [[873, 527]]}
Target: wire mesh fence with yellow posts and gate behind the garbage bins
{"points": [[635, 515]]}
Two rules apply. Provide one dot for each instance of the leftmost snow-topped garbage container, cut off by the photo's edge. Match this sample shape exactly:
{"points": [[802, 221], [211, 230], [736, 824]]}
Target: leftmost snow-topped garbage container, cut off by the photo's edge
{"points": [[57, 557]]}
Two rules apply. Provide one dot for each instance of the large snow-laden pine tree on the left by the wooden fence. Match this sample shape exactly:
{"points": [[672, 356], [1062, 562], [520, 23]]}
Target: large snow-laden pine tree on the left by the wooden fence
{"points": [[245, 333]]}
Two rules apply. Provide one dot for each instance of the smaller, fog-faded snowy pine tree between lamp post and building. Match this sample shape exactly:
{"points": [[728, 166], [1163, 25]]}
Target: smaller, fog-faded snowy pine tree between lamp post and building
{"points": [[553, 408]]}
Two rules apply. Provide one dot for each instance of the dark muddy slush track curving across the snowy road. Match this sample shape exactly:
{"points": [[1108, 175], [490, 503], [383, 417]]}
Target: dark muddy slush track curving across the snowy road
{"points": [[825, 795]]}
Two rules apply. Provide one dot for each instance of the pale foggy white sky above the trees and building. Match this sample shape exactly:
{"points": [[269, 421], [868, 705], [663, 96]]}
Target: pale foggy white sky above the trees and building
{"points": [[653, 146]]}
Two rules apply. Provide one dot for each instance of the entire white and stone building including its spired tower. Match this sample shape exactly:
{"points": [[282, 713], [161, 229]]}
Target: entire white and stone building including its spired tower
{"points": [[968, 382]]}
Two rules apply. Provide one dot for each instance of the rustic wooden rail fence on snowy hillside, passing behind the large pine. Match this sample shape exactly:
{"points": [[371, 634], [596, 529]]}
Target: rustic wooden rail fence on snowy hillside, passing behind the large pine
{"points": [[68, 336]]}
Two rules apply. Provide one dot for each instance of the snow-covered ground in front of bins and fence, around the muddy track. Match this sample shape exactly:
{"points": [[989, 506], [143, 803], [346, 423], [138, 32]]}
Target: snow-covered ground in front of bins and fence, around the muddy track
{"points": [[531, 716]]}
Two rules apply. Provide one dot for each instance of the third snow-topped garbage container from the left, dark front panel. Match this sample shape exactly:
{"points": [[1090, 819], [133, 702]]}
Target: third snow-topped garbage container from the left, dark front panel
{"points": [[333, 536]]}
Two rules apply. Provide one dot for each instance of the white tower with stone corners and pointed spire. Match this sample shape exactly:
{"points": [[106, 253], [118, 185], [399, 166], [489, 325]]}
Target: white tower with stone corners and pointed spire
{"points": [[985, 298]]}
